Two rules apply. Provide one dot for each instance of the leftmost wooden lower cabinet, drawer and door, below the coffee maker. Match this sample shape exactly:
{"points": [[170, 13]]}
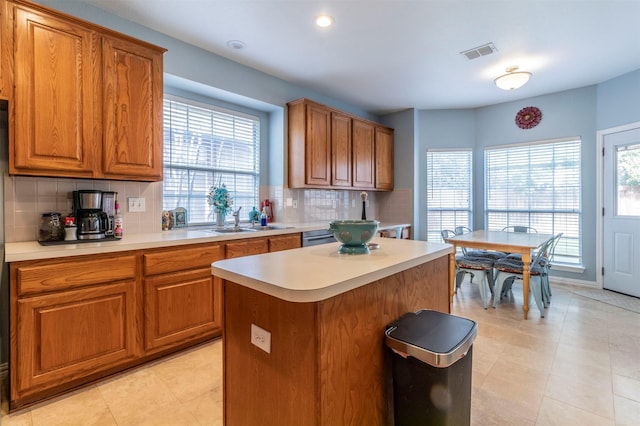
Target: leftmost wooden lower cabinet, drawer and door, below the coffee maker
{"points": [[65, 335]]}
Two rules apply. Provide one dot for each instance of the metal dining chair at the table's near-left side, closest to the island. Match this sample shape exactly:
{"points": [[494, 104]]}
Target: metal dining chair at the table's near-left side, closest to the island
{"points": [[469, 264]]}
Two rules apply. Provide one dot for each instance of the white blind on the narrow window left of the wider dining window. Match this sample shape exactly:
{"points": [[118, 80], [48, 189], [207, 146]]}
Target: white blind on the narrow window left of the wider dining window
{"points": [[449, 190]]}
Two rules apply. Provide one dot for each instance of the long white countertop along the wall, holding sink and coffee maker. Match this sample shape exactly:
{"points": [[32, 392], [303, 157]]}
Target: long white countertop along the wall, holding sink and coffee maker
{"points": [[32, 250]]}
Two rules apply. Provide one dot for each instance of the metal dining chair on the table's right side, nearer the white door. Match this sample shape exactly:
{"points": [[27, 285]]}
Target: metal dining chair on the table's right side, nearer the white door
{"points": [[510, 269]]}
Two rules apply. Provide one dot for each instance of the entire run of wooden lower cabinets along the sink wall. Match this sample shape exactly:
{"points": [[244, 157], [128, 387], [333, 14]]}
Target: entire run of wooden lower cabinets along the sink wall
{"points": [[75, 320]]}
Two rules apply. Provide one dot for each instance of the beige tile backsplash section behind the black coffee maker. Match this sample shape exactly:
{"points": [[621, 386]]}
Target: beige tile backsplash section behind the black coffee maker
{"points": [[27, 198]]}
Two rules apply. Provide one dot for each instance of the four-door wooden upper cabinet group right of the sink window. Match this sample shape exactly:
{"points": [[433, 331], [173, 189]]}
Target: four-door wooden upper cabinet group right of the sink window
{"points": [[332, 149]]}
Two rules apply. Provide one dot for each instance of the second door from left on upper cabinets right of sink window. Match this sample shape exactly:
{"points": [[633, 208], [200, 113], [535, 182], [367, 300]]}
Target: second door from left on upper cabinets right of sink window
{"points": [[340, 150]]}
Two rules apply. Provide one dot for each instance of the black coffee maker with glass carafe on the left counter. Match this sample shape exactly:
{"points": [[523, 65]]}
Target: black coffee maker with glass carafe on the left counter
{"points": [[91, 220]]}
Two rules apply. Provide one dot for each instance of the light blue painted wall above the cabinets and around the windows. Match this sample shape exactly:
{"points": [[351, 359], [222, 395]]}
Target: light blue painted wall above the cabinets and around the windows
{"points": [[579, 112]]}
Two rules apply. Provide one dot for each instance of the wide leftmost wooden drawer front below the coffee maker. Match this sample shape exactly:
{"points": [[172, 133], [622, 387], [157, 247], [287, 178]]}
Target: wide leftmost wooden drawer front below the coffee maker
{"points": [[56, 274]]}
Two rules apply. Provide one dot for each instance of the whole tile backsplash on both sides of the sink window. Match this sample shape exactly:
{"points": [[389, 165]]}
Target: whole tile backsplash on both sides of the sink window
{"points": [[27, 198]]}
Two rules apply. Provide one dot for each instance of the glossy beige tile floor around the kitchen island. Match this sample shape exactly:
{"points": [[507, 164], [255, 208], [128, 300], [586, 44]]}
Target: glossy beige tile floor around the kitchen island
{"points": [[580, 365]]}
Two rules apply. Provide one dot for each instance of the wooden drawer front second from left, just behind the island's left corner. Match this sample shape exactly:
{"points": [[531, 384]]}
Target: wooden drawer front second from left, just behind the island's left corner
{"points": [[182, 258]]}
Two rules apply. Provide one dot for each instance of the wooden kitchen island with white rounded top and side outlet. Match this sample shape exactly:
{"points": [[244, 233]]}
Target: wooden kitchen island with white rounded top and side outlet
{"points": [[303, 329]]}
